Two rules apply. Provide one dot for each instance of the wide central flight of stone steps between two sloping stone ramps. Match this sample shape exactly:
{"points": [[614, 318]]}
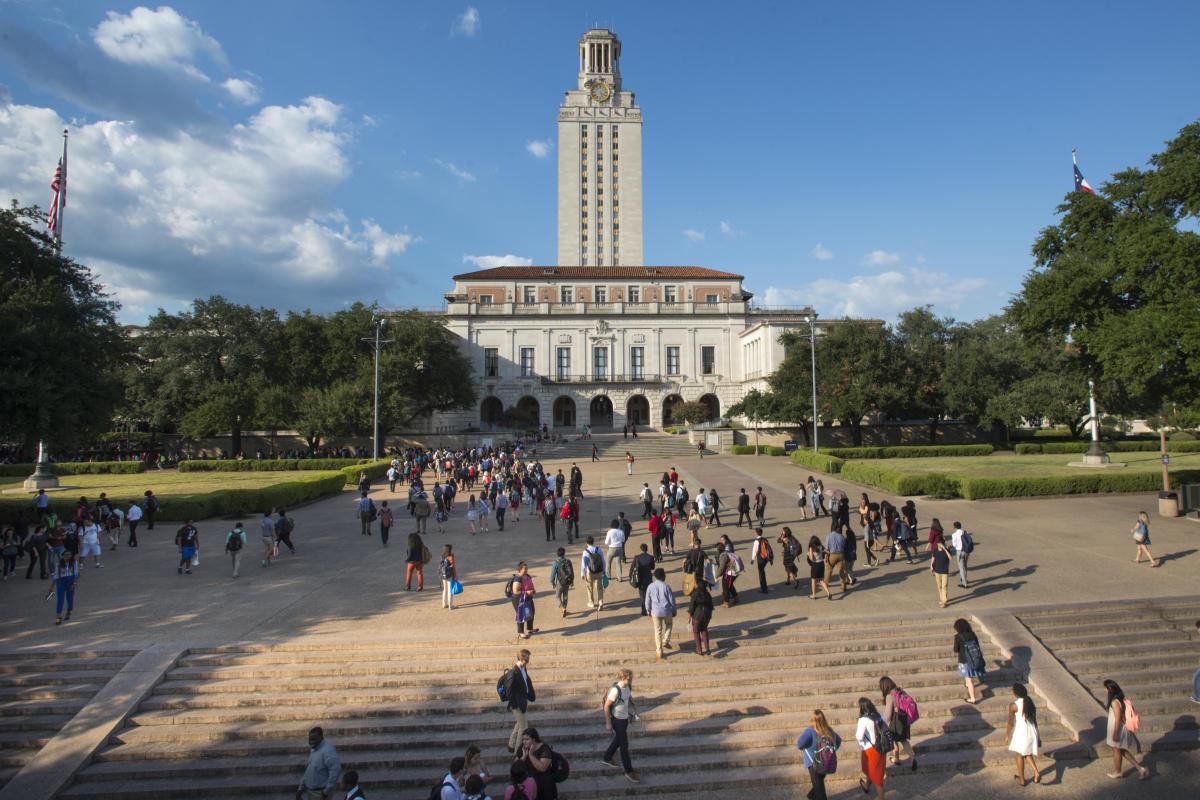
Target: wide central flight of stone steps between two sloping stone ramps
{"points": [[231, 721]]}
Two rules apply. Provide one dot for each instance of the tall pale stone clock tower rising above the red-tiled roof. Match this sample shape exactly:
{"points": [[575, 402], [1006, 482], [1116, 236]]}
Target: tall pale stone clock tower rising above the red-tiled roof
{"points": [[599, 163]]}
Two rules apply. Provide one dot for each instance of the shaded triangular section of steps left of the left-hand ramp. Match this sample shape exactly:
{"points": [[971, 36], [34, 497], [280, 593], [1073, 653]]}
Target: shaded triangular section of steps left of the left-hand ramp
{"points": [[41, 691]]}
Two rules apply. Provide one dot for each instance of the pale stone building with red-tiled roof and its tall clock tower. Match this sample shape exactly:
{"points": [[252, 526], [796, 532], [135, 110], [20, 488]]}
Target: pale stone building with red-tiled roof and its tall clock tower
{"points": [[601, 339]]}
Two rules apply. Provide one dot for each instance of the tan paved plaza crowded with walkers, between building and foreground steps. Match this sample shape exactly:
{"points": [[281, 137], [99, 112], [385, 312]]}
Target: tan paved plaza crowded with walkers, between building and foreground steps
{"points": [[346, 586]]}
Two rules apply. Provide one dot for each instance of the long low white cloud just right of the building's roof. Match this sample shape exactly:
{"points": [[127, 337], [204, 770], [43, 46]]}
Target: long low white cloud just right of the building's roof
{"points": [[883, 296]]}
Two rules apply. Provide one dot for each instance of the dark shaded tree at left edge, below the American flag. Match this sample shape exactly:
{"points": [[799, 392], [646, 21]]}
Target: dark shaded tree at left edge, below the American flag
{"points": [[61, 363]]}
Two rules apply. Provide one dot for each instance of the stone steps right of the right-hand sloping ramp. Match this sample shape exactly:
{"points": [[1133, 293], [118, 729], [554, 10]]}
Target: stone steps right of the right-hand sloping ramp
{"points": [[1150, 647]]}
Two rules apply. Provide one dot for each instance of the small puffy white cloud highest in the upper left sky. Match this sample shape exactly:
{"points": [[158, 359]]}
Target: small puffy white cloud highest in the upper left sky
{"points": [[160, 39]]}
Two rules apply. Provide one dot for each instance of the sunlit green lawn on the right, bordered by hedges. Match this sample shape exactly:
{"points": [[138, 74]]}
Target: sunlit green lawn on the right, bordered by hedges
{"points": [[1036, 466]]}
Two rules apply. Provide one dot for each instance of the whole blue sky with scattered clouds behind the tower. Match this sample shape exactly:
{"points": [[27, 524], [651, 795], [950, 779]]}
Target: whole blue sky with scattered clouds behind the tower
{"points": [[866, 158]]}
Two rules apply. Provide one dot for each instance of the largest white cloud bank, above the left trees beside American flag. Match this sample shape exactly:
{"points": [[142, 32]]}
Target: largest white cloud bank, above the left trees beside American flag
{"points": [[247, 210]]}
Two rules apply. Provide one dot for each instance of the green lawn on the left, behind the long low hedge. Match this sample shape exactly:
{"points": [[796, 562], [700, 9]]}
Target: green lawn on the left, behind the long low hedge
{"points": [[166, 484]]}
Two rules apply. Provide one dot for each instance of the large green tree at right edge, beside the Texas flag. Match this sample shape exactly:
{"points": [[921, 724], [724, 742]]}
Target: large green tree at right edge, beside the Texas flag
{"points": [[1118, 280]]}
